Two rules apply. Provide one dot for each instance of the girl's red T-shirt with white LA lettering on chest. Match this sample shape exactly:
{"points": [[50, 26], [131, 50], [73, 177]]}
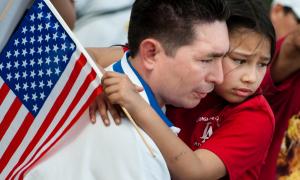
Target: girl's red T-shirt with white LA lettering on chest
{"points": [[239, 134]]}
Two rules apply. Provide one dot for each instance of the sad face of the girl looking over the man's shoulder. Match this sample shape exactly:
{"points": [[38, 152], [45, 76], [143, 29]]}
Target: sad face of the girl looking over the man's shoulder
{"points": [[245, 65]]}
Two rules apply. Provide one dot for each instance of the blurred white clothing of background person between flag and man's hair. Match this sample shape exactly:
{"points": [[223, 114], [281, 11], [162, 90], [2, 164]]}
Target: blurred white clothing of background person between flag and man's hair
{"points": [[102, 23]]}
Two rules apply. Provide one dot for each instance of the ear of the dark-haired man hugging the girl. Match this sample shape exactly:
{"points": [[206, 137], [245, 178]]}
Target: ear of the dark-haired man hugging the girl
{"points": [[150, 49]]}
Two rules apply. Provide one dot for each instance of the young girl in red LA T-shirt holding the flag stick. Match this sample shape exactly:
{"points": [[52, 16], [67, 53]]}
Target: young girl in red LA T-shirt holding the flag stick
{"points": [[233, 126]]}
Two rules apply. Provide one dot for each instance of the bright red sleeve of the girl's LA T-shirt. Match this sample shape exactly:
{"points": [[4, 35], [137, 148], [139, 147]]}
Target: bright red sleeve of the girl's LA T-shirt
{"points": [[243, 139]]}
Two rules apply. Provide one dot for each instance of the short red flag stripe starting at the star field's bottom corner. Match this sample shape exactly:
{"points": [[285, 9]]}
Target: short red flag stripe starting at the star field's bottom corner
{"points": [[16, 141]]}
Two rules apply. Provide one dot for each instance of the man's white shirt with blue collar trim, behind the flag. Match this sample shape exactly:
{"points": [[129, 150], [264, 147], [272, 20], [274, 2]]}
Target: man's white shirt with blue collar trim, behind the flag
{"points": [[93, 151]]}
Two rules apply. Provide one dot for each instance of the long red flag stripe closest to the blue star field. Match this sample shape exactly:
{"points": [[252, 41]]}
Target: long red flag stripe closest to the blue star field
{"points": [[74, 74]]}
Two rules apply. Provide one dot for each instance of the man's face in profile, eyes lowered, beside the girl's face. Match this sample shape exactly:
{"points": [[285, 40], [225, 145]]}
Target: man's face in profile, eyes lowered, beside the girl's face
{"points": [[186, 77]]}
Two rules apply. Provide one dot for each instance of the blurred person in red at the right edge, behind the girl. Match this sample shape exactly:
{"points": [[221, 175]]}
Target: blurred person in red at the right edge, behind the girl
{"points": [[281, 87]]}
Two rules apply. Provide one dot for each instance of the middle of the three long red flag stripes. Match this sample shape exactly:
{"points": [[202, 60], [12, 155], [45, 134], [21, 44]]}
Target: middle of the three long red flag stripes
{"points": [[75, 101]]}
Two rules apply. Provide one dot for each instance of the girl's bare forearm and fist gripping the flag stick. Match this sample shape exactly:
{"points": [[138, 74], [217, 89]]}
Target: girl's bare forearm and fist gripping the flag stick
{"points": [[182, 162]]}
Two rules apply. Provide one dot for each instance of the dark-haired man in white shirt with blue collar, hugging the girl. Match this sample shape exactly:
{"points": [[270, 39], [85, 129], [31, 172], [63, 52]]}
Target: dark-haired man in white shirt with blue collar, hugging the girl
{"points": [[176, 58]]}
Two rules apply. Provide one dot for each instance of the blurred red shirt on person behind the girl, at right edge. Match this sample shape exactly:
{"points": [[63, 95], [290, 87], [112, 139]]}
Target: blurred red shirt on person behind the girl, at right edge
{"points": [[284, 99]]}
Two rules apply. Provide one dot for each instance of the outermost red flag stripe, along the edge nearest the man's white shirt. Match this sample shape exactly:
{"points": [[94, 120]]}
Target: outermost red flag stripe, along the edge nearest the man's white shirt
{"points": [[97, 91]]}
